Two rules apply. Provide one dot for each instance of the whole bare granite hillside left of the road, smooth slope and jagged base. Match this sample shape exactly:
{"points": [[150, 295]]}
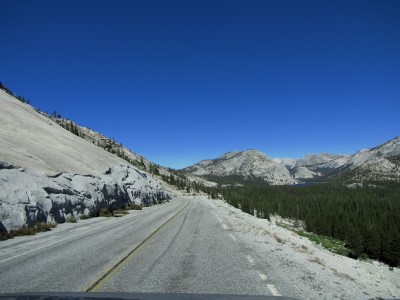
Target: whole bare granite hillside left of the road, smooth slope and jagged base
{"points": [[48, 173]]}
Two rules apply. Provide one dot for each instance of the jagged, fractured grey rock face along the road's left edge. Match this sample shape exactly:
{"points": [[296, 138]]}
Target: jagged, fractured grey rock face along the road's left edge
{"points": [[28, 196]]}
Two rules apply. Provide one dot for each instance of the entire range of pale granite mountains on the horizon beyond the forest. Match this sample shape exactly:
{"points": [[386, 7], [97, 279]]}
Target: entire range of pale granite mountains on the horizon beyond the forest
{"points": [[379, 163]]}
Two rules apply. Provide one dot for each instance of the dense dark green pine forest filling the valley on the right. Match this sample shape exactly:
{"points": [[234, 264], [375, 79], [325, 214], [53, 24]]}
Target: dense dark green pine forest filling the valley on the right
{"points": [[367, 218]]}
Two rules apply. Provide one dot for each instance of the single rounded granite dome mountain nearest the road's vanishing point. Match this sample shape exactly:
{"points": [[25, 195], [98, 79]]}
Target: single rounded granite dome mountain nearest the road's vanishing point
{"points": [[250, 164]]}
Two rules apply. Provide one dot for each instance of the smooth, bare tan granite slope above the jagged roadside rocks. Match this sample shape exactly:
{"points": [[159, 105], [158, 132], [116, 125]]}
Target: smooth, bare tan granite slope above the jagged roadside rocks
{"points": [[31, 140]]}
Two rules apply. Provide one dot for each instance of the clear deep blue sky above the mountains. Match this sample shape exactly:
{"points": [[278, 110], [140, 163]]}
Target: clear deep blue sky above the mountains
{"points": [[181, 81]]}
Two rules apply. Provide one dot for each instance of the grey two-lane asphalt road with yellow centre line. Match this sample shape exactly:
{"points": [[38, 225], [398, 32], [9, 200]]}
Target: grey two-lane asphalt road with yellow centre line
{"points": [[179, 247]]}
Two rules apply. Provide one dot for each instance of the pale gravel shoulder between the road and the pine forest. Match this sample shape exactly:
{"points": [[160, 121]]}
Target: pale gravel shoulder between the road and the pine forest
{"points": [[315, 273]]}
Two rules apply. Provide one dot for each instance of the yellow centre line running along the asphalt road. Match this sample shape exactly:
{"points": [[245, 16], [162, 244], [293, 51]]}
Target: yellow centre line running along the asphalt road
{"points": [[119, 263]]}
